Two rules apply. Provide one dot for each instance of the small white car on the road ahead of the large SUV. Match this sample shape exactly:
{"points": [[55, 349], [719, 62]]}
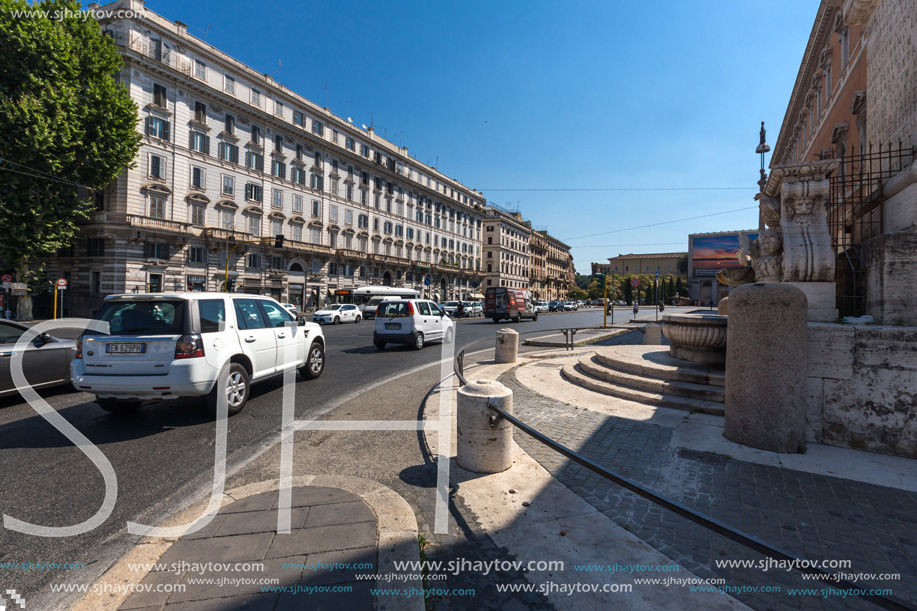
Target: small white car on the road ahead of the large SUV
{"points": [[413, 322]]}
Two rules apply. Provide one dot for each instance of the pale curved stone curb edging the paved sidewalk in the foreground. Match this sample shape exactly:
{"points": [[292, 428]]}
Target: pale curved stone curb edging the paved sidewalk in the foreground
{"points": [[396, 539]]}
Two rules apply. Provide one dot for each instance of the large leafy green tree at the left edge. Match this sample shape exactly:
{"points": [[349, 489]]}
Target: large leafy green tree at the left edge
{"points": [[67, 127]]}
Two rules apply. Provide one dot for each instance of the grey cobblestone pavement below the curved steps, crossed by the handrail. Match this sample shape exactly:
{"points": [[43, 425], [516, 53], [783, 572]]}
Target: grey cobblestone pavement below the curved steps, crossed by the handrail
{"points": [[816, 517]]}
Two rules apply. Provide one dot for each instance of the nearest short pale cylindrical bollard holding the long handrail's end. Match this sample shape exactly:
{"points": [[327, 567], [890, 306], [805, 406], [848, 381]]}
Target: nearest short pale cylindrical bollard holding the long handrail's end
{"points": [[483, 449]]}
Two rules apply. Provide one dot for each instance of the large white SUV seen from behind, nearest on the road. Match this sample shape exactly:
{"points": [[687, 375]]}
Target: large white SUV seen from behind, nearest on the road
{"points": [[166, 346]]}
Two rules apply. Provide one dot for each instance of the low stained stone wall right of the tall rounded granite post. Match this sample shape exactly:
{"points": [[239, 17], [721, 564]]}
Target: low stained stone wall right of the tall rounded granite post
{"points": [[861, 388]]}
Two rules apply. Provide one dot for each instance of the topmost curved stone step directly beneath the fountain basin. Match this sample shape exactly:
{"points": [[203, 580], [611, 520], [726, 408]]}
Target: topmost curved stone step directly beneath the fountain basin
{"points": [[658, 364]]}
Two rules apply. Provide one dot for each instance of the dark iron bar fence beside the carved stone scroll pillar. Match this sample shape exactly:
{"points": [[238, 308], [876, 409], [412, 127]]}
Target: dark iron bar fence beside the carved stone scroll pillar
{"points": [[856, 215]]}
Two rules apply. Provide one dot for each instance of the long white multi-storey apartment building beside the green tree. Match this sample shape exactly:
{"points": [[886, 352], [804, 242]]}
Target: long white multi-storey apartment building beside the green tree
{"points": [[230, 159]]}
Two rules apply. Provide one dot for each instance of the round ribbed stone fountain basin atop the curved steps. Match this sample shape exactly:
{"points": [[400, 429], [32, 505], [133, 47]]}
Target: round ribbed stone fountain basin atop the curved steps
{"points": [[699, 338]]}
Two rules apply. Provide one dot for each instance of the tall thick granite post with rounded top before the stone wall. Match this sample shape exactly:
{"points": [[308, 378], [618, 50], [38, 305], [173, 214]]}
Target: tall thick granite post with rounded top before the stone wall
{"points": [[766, 367]]}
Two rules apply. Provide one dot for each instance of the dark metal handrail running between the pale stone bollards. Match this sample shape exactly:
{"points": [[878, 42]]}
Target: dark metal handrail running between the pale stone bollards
{"points": [[733, 534]]}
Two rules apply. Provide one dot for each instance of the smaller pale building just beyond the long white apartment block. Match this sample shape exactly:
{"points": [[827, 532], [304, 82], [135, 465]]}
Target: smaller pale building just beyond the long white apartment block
{"points": [[505, 243]]}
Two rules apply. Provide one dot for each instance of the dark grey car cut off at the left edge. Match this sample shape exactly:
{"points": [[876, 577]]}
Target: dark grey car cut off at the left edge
{"points": [[45, 360]]}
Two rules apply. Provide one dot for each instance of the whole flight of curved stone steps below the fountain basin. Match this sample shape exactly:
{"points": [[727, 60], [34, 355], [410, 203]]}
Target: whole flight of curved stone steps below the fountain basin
{"points": [[648, 374]]}
